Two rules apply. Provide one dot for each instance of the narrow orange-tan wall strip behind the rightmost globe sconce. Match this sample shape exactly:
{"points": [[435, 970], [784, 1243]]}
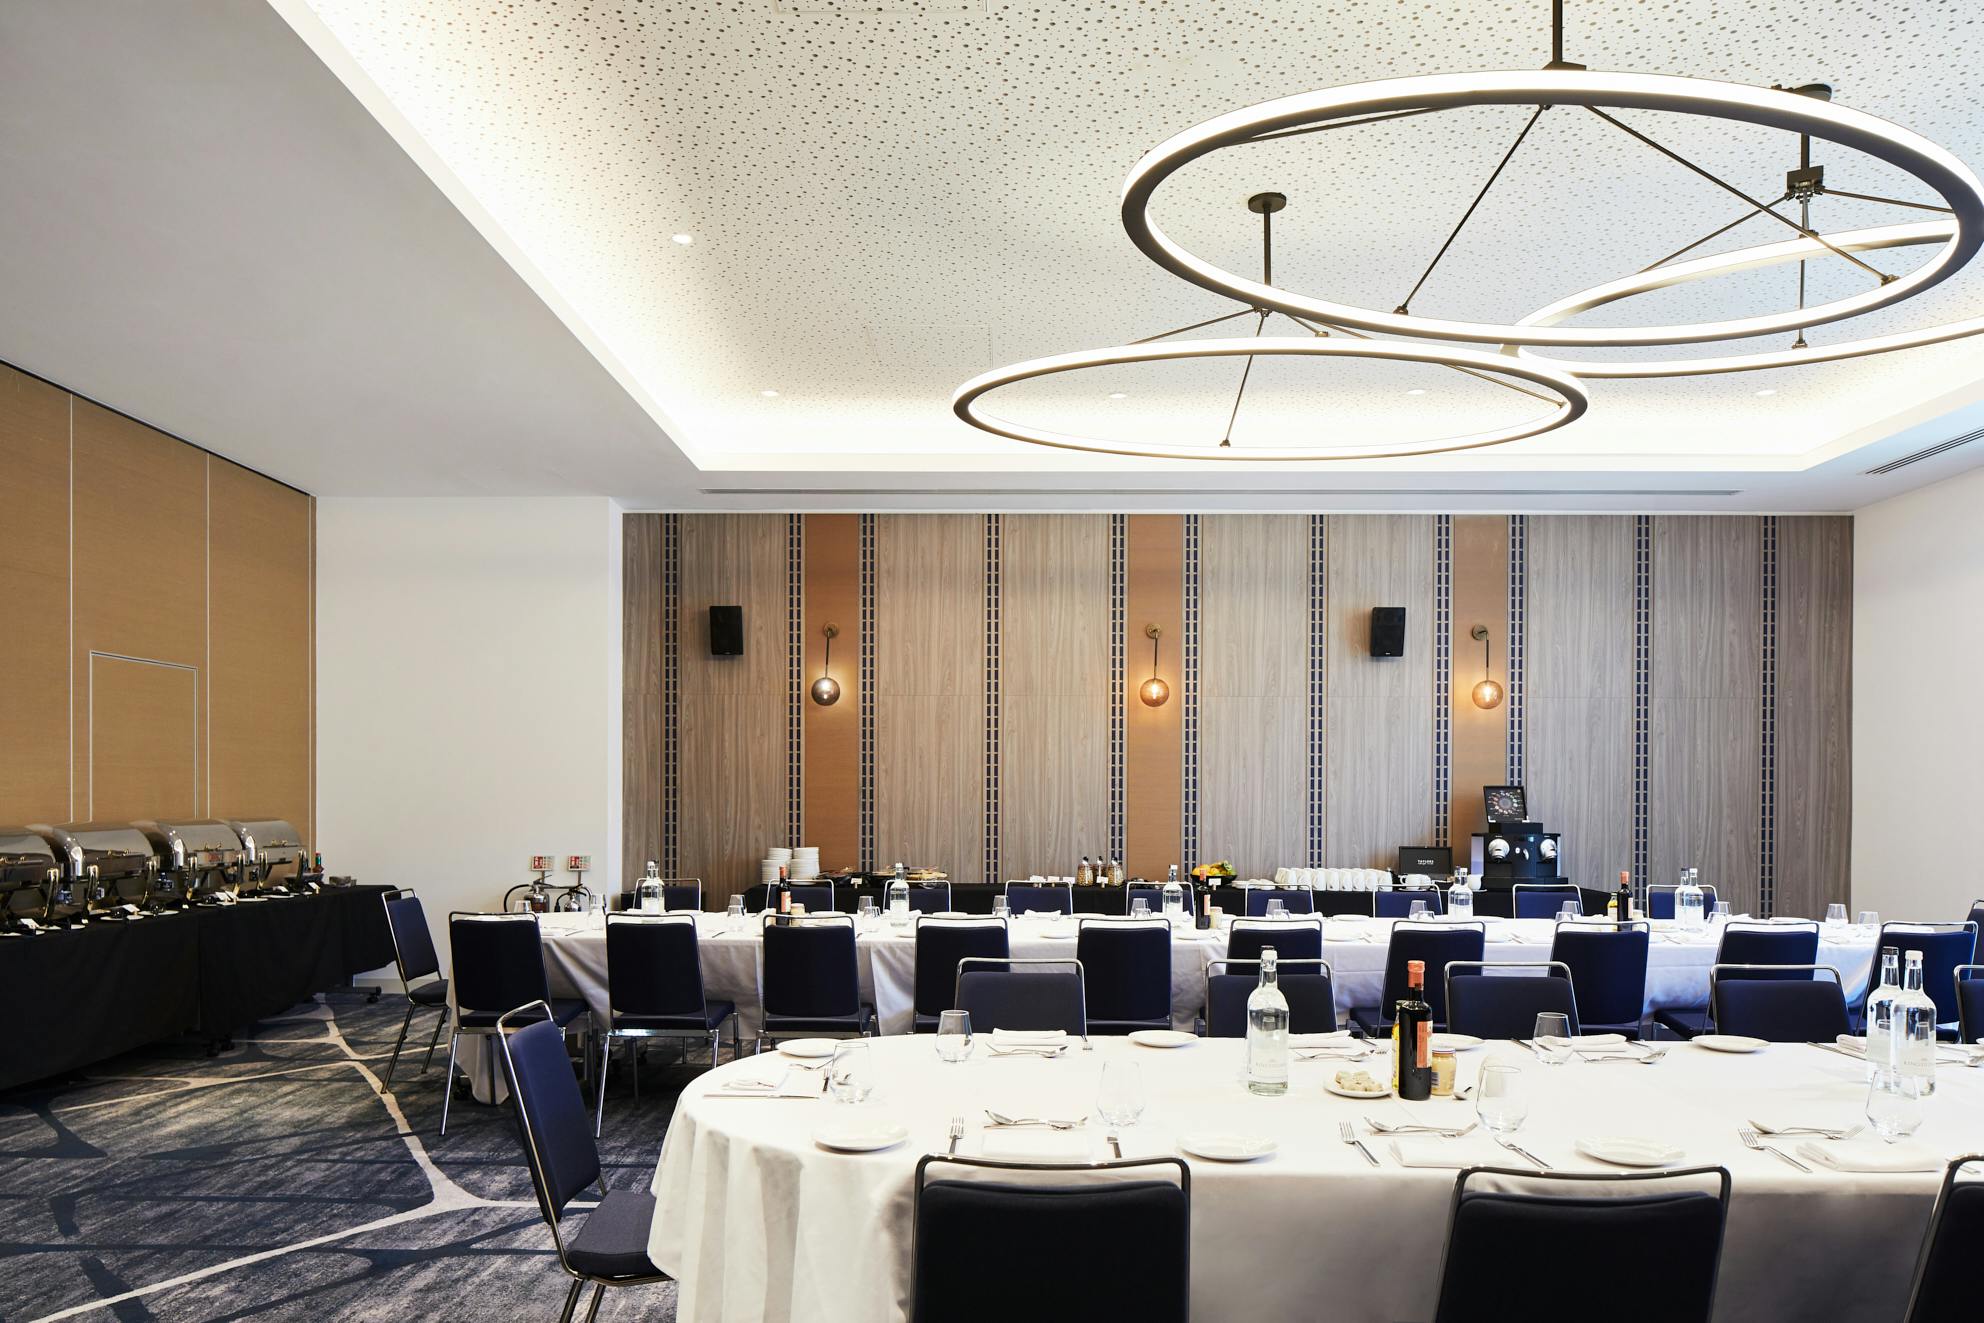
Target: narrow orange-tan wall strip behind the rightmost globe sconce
{"points": [[1479, 753]]}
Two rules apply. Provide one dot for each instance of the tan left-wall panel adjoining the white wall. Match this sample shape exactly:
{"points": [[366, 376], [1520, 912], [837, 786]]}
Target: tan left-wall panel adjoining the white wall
{"points": [[257, 689]]}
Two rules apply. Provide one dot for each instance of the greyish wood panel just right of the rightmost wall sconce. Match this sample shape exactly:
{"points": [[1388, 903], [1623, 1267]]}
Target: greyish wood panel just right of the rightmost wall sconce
{"points": [[1580, 691]]}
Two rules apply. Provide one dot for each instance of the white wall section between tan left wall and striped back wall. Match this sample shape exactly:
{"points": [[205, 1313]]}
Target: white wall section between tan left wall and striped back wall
{"points": [[469, 663]]}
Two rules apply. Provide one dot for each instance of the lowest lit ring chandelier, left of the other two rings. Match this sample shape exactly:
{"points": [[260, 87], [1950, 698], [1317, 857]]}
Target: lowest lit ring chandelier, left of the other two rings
{"points": [[1572, 400]]}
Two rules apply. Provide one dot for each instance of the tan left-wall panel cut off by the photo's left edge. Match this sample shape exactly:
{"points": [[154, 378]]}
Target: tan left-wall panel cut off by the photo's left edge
{"points": [[35, 598]]}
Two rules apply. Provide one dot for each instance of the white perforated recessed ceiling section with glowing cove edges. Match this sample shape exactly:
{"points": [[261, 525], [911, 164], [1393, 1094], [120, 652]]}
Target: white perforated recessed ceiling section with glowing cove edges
{"points": [[886, 203]]}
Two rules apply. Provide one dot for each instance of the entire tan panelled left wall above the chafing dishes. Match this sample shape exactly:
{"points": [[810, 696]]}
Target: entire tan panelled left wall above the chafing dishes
{"points": [[162, 660]]}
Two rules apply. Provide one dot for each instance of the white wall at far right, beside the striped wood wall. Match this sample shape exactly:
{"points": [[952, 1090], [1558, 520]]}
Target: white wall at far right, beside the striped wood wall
{"points": [[1920, 701]]}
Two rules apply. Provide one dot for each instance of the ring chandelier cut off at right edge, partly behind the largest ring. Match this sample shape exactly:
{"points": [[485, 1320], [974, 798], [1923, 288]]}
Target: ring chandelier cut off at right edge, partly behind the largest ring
{"points": [[1743, 261]]}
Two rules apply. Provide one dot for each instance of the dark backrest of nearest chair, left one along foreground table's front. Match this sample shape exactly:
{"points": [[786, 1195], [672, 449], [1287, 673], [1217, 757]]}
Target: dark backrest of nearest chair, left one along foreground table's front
{"points": [[1100, 1209]]}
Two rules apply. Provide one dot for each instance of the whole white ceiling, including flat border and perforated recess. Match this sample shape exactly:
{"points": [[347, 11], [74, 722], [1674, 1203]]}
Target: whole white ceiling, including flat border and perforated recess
{"points": [[437, 259]]}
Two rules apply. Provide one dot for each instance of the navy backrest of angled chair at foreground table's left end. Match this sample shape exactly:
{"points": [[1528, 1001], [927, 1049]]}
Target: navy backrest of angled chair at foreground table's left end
{"points": [[558, 1140]]}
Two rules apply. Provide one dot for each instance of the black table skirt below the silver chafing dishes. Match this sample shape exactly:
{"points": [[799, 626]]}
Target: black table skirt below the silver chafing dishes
{"points": [[78, 997]]}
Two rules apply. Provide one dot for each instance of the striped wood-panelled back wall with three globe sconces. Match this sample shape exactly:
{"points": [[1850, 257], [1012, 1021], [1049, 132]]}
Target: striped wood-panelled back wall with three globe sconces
{"points": [[1681, 693]]}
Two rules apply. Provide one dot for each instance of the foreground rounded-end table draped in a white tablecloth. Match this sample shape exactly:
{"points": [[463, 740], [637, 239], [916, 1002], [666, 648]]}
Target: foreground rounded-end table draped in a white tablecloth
{"points": [[759, 1223]]}
